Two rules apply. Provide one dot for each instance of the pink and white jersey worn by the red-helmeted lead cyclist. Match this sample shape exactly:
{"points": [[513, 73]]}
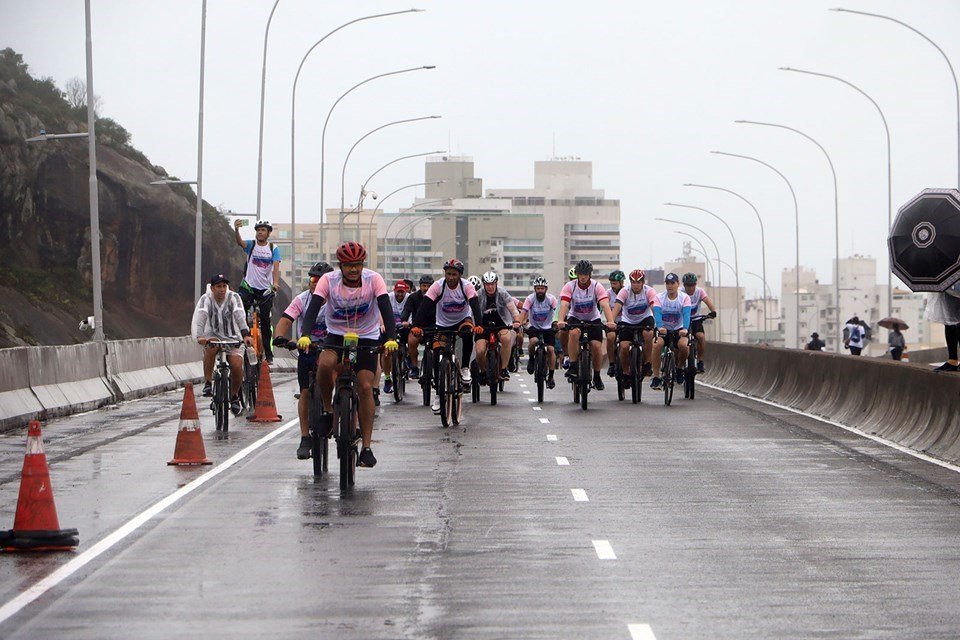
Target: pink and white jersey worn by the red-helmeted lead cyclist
{"points": [[352, 309]]}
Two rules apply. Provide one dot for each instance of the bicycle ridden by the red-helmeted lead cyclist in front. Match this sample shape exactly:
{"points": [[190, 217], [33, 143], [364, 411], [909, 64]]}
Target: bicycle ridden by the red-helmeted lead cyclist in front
{"points": [[346, 408]]}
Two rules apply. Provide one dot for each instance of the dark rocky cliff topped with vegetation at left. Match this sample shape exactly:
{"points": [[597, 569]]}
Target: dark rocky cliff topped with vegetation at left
{"points": [[147, 232]]}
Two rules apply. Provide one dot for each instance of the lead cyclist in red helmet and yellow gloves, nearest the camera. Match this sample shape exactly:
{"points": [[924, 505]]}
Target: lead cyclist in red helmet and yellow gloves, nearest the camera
{"points": [[356, 301]]}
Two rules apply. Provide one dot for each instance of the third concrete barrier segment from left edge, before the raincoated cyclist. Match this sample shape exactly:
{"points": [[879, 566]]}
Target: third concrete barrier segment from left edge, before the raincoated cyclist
{"points": [[138, 367]]}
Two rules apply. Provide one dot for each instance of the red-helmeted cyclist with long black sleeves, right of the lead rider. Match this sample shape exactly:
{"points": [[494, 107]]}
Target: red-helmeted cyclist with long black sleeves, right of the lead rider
{"points": [[451, 304]]}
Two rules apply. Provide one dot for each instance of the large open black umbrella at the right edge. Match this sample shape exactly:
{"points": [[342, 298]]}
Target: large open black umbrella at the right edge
{"points": [[924, 242]]}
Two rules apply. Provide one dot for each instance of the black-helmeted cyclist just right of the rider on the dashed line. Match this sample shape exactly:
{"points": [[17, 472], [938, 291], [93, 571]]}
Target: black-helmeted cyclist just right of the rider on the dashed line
{"points": [[584, 299]]}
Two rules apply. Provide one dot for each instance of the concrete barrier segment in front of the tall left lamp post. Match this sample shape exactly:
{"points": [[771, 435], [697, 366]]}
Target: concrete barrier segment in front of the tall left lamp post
{"points": [[69, 378]]}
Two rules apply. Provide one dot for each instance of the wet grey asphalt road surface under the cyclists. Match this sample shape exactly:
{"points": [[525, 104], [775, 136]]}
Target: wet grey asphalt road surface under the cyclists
{"points": [[714, 518]]}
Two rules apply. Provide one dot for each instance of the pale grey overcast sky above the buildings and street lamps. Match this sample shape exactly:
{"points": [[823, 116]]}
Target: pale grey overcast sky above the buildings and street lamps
{"points": [[643, 89]]}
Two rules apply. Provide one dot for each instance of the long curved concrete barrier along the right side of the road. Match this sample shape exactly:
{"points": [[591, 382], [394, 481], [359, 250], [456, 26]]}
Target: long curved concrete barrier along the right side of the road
{"points": [[909, 405]]}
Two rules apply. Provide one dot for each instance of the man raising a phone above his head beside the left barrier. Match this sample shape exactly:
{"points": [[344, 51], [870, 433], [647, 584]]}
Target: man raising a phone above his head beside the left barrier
{"points": [[261, 278]]}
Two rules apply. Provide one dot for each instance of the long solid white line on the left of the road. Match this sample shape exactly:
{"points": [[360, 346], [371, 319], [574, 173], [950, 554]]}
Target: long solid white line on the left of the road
{"points": [[35, 591]]}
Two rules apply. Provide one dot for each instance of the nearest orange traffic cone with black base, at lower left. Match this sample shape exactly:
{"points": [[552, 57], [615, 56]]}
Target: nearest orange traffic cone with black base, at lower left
{"points": [[36, 526]]}
